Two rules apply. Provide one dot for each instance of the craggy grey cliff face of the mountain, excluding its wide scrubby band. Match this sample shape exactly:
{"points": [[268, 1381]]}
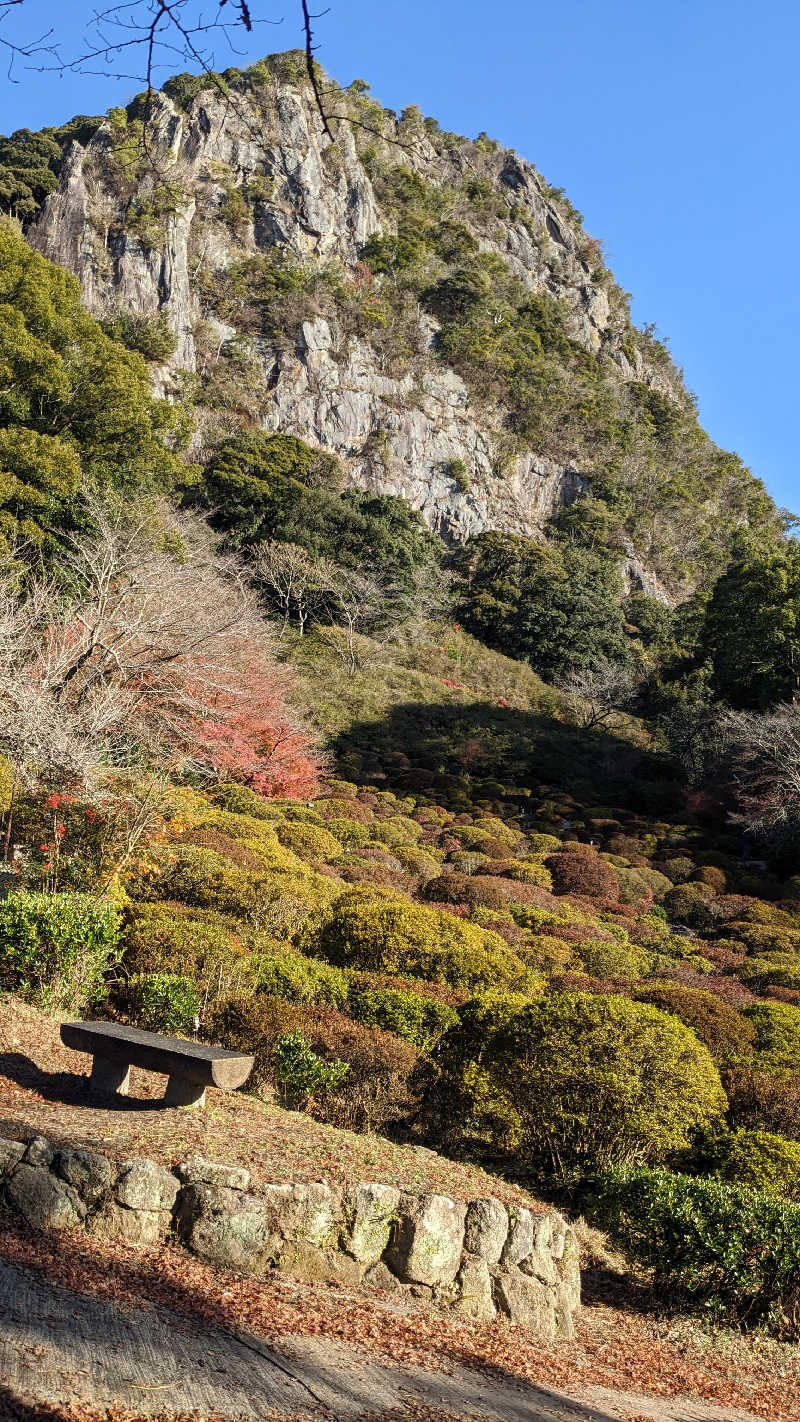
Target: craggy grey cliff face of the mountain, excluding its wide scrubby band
{"points": [[237, 177]]}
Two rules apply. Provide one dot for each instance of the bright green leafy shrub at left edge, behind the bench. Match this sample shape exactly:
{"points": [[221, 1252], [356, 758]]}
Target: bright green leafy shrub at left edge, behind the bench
{"points": [[56, 948]]}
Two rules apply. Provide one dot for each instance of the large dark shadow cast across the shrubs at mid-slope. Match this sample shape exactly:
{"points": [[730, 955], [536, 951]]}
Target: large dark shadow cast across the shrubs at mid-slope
{"points": [[484, 750]]}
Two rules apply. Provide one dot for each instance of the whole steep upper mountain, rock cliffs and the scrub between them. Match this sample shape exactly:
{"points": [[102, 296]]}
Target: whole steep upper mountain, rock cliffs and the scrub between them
{"points": [[427, 308]]}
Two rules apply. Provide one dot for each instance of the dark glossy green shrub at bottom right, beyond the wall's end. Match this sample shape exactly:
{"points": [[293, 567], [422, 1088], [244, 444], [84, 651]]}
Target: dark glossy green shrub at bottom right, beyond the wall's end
{"points": [[727, 1251]]}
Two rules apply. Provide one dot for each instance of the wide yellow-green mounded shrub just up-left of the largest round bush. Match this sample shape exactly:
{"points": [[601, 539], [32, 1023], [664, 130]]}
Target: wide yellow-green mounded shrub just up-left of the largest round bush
{"points": [[376, 932]]}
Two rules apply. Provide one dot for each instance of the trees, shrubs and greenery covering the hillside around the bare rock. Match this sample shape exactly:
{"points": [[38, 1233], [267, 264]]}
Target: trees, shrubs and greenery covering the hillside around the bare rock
{"points": [[472, 847]]}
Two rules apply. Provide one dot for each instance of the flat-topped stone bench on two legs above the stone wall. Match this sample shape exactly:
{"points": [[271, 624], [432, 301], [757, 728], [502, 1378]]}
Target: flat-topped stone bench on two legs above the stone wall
{"points": [[191, 1067]]}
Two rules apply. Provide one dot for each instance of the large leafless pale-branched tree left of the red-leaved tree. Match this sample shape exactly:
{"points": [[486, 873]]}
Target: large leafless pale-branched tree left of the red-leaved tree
{"points": [[113, 666]]}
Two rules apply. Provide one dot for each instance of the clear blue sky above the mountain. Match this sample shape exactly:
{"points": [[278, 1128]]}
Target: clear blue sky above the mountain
{"points": [[674, 129]]}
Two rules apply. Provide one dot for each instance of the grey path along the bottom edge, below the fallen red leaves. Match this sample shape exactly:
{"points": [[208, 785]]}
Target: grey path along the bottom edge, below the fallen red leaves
{"points": [[60, 1346]]}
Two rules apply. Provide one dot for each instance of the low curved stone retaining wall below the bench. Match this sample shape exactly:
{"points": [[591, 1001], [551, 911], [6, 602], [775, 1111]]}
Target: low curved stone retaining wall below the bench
{"points": [[478, 1259]]}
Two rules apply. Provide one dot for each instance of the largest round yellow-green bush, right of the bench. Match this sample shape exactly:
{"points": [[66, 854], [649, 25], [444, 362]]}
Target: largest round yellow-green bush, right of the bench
{"points": [[602, 1081]]}
